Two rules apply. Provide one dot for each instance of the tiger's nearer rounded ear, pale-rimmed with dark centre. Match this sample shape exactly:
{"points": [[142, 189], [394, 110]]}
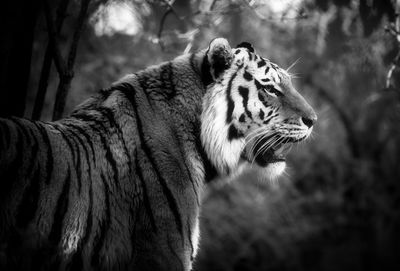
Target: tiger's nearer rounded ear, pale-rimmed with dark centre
{"points": [[219, 56]]}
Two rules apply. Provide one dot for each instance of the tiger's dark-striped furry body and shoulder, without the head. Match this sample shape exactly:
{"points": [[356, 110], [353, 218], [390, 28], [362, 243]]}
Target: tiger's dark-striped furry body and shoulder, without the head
{"points": [[114, 186]]}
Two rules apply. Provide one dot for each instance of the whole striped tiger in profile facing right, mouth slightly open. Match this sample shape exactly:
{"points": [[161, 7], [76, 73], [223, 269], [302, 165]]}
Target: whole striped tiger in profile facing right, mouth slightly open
{"points": [[118, 184]]}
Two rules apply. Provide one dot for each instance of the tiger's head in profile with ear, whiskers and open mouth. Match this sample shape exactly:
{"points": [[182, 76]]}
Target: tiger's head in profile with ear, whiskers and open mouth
{"points": [[251, 111]]}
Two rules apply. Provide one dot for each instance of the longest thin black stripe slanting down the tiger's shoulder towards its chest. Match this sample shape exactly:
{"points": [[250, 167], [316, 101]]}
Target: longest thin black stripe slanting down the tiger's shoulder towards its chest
{"points": [[167, 192]]}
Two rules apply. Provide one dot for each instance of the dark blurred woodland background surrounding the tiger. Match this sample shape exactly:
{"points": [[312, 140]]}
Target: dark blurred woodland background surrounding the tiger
{"points": [[337, 207]]}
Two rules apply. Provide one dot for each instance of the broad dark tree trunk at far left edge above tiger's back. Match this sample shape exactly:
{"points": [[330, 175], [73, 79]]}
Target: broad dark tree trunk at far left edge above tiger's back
{"points": [[17, 20]]}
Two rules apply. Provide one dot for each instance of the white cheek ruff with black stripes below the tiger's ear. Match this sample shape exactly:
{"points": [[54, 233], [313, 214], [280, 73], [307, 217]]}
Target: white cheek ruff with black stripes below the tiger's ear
{"points": [[231, 109]]}
